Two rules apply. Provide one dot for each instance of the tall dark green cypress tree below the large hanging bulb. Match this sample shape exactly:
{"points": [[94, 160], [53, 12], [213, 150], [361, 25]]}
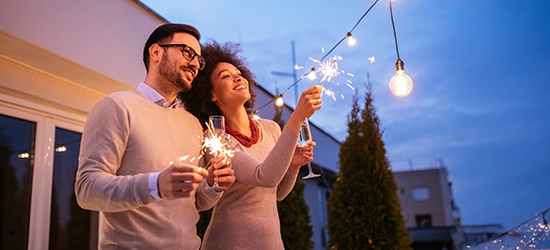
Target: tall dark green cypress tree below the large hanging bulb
{"points": [[364, 210]]}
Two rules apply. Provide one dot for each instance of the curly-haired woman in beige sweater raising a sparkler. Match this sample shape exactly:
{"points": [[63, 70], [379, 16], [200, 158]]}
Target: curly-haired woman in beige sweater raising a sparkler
{"points": [[246, 216]]}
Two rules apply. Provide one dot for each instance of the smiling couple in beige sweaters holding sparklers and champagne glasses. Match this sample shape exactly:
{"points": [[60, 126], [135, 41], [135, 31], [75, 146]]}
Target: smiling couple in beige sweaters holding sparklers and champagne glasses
{"points": [[132, 165]]}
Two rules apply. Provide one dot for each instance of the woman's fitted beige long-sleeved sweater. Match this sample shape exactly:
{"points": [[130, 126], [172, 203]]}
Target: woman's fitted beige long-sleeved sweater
{"points": [[246, 216]]}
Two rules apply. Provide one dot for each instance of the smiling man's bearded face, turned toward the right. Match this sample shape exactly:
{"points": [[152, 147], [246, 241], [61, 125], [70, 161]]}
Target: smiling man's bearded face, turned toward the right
{"points": [[175, 68]]}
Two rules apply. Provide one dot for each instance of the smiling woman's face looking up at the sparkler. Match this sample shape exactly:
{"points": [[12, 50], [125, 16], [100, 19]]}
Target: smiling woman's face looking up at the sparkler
{"points": [[229, 88]]}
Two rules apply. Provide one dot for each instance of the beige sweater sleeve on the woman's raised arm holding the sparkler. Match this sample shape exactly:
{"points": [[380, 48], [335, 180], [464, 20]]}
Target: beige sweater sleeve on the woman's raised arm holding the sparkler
{"points": [[271, 171]]}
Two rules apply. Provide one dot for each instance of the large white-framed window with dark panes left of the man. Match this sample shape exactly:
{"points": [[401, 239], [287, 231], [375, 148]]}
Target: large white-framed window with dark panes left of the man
{"points": [[38, 162]]}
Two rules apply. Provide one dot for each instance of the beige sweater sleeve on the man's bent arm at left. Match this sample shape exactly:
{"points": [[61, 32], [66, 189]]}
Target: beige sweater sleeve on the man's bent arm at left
{"points": [[104, 140]]}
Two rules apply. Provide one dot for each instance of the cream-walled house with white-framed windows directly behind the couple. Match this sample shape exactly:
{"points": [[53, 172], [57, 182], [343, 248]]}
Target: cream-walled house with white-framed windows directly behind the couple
{"points": [[57, 59]]}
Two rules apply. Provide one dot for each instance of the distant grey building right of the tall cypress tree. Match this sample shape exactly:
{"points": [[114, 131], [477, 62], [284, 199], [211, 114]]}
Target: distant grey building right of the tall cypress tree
{"points": [[429, 209]]}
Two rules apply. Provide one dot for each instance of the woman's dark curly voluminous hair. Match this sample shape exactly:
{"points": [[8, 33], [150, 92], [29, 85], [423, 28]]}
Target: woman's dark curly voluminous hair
{"points": [[198, 100]]}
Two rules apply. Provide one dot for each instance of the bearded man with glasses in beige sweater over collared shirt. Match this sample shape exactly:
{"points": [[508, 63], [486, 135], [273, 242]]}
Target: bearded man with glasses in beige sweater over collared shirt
{"points": [[138, 156]]}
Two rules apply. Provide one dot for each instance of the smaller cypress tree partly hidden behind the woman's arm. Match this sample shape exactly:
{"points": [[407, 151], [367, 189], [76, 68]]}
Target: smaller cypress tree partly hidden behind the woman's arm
{"points": [[296, 230]]}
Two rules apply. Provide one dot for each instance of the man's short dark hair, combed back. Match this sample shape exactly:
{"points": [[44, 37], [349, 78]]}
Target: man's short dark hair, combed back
{"points": [[163, 34]]}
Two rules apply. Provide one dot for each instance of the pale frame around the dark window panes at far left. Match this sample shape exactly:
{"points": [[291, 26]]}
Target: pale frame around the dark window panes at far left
{"points": [[47, 119]]}
